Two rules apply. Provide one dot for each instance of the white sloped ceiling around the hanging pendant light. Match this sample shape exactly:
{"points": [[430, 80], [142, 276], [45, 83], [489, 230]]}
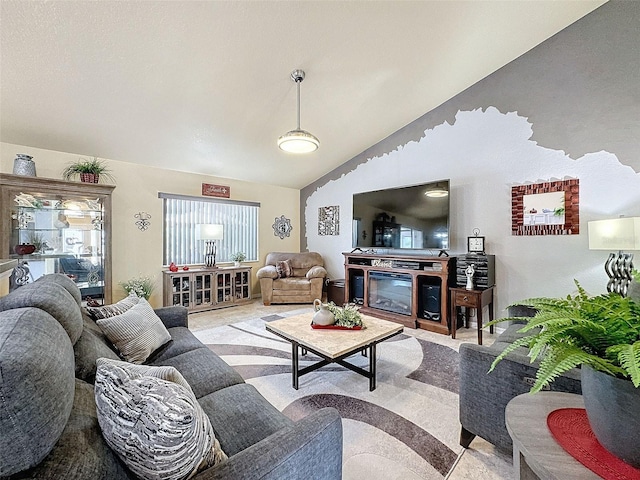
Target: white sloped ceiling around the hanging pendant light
{"points": [[203, 86]]}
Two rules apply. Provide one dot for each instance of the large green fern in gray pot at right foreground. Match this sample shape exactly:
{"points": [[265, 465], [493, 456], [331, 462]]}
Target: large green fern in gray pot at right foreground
{"points": [[600, 334]]}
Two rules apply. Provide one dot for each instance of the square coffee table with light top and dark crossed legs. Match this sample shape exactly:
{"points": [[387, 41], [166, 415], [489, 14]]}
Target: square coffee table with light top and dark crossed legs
{"points": [[333, 346]]}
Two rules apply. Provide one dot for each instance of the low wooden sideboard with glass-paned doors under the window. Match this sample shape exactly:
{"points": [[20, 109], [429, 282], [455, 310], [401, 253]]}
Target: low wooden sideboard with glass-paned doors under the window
{"points": [[207, 288]]}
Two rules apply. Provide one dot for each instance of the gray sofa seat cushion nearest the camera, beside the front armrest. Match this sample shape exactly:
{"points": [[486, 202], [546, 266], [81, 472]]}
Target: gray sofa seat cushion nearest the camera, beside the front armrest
{"points": [[242, 417]]}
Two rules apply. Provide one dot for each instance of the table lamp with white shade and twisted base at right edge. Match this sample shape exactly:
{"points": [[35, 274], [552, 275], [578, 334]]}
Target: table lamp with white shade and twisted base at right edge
{"points": [[616, 234]]}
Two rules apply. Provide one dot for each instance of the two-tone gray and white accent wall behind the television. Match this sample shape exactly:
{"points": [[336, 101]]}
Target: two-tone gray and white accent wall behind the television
{"points": [[579, 91]]}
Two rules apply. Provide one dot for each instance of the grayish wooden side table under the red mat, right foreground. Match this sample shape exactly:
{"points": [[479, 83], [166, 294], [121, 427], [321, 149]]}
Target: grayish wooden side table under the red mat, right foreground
{"points": [[536, 454]]}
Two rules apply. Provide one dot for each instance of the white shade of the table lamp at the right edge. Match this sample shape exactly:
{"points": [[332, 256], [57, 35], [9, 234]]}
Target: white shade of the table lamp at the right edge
{"points": [[615, 234]]}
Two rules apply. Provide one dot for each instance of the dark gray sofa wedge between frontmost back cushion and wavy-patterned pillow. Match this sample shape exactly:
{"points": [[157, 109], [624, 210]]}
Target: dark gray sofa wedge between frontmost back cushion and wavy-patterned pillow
{"points": [[81, 452]]}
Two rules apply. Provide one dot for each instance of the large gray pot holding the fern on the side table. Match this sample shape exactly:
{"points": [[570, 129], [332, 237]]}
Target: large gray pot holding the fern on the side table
{"points": [[613, 407]]}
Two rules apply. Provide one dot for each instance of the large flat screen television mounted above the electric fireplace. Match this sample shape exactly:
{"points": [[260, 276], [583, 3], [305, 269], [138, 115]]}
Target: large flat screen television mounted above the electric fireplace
{"points": [[414, 217]]}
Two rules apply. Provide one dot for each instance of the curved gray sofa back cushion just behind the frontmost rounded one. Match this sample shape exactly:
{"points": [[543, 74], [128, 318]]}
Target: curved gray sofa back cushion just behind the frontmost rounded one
{"points": [[53, 299]]}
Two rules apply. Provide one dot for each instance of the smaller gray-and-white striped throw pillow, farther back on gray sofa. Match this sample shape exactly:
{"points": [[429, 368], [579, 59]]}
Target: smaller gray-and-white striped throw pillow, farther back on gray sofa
{"points": [[136, 333]]}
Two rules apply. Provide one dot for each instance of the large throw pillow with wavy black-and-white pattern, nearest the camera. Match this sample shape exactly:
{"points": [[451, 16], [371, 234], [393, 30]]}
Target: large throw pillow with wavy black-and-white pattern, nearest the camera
{"points": [[156, 426]]}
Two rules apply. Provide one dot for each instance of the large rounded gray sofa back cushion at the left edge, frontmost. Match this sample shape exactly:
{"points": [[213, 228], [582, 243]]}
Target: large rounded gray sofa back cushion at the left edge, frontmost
{"points": [[36, 386]]}
